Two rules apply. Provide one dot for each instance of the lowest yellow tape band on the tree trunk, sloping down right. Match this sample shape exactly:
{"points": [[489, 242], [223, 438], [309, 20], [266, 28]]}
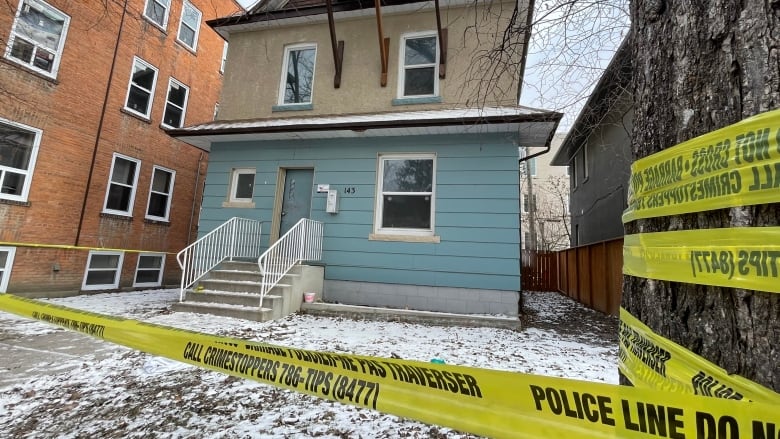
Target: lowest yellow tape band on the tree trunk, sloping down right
{"points": [[651, 361]]}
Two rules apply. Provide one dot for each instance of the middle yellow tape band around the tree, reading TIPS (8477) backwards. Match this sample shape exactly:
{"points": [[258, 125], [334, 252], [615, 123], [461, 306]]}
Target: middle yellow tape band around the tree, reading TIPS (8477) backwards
{"points": [[746, 257]]}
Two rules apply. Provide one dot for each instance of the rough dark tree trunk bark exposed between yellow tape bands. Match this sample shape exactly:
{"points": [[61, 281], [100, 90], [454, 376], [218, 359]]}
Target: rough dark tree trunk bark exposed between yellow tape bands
{"points": [[699, 66]]}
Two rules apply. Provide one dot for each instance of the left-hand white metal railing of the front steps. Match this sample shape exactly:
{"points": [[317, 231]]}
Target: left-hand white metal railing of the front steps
{"points": [[236, 238]]}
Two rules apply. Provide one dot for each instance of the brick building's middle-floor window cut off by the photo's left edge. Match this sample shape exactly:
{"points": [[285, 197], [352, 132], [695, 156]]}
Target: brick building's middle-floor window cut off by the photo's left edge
{"points": [[18, 151]]}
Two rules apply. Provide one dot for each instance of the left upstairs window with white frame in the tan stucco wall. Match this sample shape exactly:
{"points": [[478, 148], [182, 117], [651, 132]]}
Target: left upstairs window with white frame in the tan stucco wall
{"points": [[298, 74]]}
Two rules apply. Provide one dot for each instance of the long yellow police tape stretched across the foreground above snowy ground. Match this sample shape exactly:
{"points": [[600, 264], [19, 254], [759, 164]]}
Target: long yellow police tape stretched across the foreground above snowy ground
{"points": [[493, 403]]}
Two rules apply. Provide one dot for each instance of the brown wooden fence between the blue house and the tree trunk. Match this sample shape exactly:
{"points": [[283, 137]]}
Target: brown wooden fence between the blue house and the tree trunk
{"points": [[590, 274]]}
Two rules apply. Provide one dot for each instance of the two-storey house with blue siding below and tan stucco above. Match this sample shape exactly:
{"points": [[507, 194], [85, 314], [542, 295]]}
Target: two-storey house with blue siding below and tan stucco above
{"points": [[416, 143]]}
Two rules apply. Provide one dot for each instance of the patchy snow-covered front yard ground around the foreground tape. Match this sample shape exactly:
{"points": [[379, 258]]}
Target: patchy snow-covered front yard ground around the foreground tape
{"points": [[111, 391]]}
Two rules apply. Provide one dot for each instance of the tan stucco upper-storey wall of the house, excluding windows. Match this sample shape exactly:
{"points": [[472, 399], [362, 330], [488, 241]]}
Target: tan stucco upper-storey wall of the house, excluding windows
{"points": [[253, 72]]}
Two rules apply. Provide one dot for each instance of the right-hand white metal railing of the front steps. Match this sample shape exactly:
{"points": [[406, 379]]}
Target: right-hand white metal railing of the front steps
{"points": [[303, 242]]}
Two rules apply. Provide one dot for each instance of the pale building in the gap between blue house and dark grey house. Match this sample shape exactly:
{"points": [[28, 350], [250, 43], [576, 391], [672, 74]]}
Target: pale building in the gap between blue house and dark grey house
{"points": [[545, 202]]}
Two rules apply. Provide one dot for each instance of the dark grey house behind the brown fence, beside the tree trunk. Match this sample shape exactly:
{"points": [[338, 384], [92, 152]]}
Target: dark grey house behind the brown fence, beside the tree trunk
{"points": [[597, 151]]}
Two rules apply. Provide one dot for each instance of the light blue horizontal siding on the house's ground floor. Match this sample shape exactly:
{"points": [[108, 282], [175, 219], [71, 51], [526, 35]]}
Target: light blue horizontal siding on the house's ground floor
{"points": [[476, 201]]}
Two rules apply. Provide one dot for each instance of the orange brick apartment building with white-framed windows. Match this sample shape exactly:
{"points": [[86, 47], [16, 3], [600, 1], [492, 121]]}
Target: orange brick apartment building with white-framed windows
{"points": [[95, 195]]}
